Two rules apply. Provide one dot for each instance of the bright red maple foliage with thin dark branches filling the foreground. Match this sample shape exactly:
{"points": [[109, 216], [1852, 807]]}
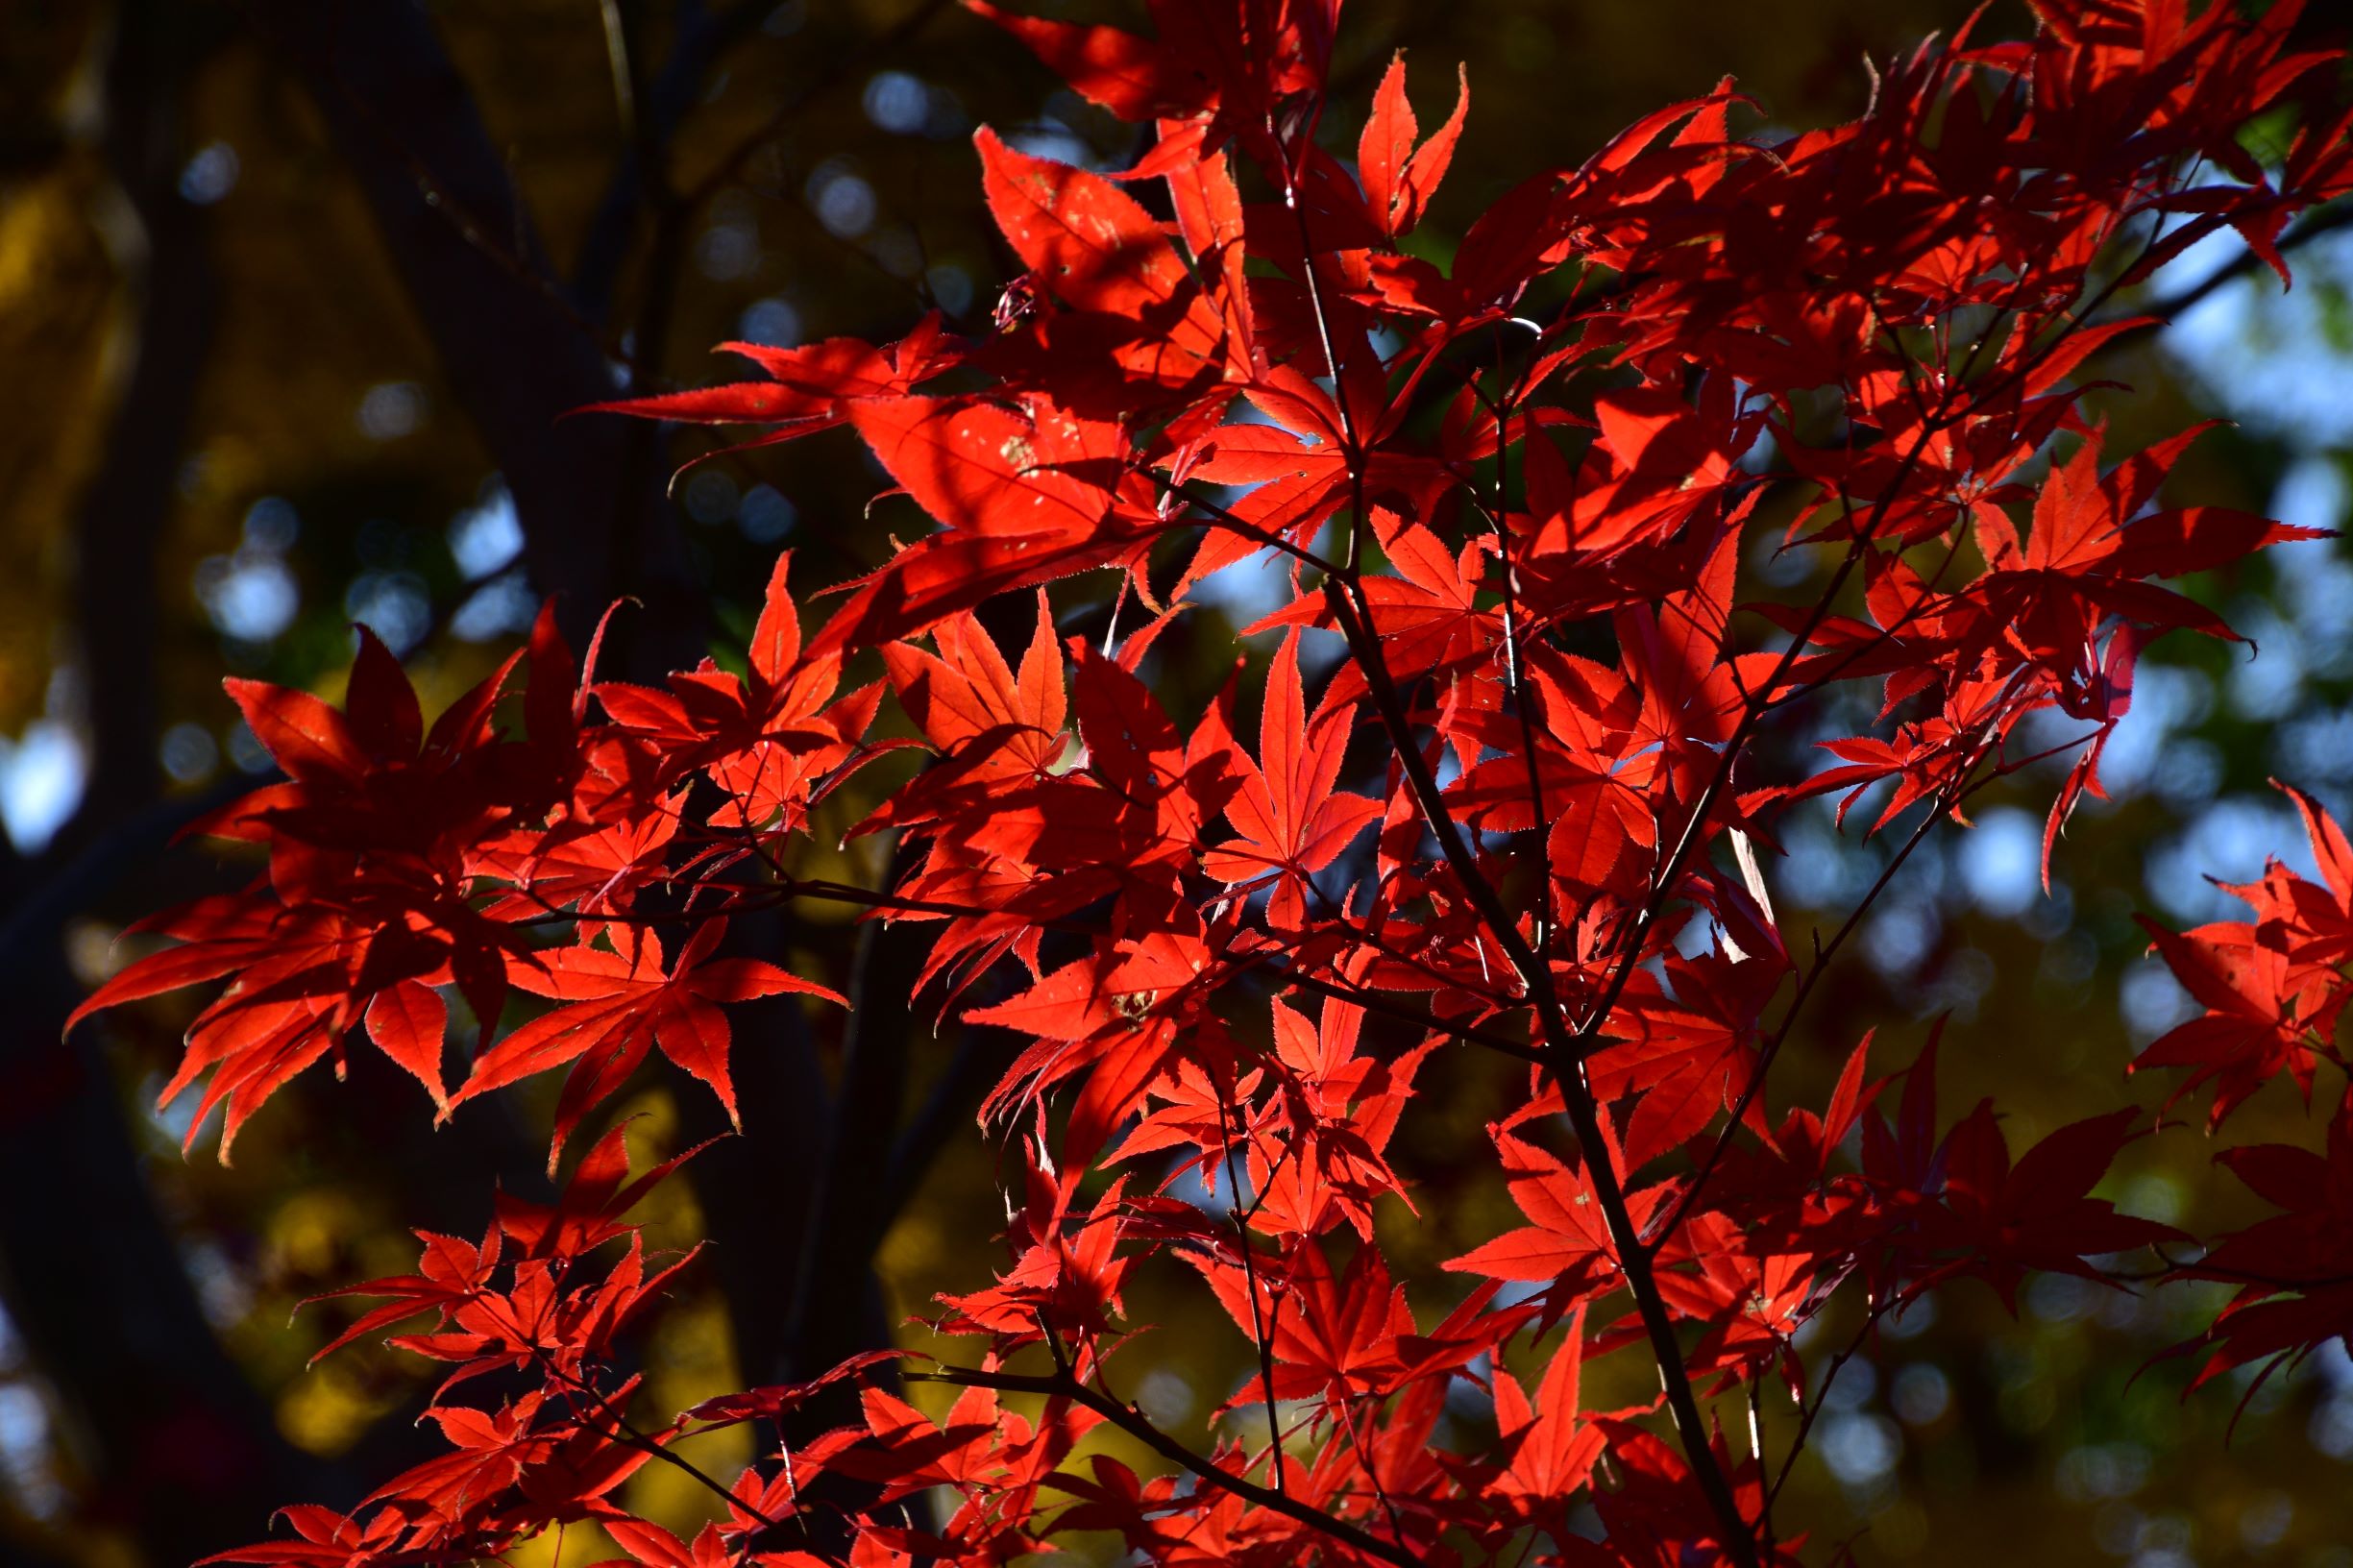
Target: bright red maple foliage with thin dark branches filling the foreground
{"points": [[1481, 832]]}
